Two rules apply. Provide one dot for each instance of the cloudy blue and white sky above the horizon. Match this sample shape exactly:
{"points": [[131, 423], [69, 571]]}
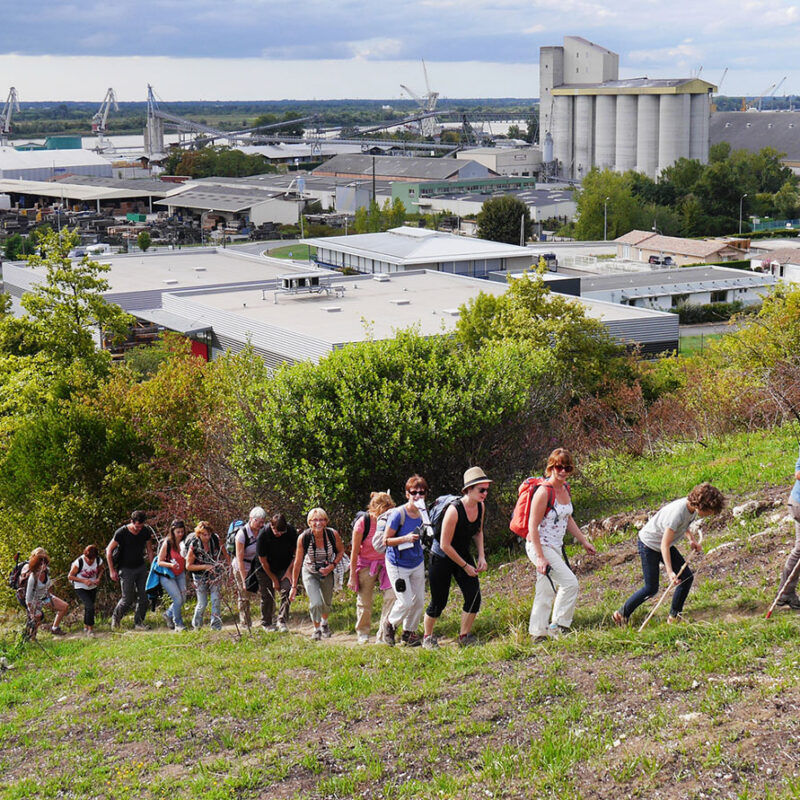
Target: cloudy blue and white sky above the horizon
{"points": [[275, 49]]}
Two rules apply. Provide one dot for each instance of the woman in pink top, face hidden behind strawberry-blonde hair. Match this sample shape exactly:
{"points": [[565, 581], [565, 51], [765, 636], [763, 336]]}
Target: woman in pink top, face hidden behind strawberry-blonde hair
{"points": [[368, 568]]}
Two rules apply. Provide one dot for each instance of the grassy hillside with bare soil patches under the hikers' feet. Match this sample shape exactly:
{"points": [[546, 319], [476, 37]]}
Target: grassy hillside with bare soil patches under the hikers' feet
{"points": [[707, 709]]}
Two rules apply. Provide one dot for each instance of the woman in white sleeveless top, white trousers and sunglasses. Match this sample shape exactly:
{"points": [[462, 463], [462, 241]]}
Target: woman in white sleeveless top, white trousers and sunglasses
{"points": [[550, 519]]}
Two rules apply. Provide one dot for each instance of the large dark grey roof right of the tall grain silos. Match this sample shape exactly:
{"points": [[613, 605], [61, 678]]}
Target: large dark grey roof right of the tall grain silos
{"points": [[752, 131]]}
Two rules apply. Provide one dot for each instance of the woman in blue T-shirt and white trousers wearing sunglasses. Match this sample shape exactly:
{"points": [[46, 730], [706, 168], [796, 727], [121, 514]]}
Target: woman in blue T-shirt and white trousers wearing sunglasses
{"points": [[405, 566]]}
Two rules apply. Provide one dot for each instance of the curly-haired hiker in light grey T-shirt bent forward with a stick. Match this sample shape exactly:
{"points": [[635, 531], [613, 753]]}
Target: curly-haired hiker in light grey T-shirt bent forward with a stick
{"points": [[657, 542]]}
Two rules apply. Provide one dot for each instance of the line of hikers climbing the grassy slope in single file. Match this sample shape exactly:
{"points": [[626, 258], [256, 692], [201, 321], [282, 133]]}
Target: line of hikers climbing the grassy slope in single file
{"points": [[387, 555]]}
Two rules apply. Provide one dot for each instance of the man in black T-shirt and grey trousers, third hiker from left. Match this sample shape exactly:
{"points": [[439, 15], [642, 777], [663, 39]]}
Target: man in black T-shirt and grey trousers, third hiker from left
{"points": [[125, 556]]}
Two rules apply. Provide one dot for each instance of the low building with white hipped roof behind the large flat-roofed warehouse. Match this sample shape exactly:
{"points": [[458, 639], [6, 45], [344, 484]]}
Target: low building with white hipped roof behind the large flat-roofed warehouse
{"points": [[406, 248]]}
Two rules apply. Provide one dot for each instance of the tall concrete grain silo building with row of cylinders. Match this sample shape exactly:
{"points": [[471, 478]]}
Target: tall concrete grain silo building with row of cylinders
{"points": [[591, 118]]}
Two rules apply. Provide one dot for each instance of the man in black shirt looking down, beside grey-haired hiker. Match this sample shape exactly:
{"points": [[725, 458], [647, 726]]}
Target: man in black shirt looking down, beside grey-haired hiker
{"points": [[275, 548]]}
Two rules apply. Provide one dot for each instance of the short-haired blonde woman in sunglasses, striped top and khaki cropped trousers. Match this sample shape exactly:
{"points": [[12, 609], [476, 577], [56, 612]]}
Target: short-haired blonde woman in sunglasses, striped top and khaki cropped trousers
{"points": [[319, 550]]}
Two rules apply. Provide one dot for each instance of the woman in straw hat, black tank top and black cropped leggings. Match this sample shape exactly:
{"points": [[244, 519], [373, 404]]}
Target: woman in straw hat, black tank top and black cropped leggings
{"points": [[451, 558]]}
